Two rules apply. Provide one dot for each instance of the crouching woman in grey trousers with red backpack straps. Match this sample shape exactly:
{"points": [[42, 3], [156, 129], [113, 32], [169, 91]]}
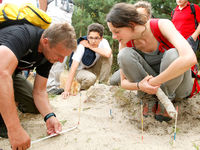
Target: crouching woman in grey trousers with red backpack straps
{"points": [[159, 56]]}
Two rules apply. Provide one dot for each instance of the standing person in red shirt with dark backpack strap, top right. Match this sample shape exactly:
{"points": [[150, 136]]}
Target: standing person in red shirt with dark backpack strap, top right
{"points": [[184, 21]]}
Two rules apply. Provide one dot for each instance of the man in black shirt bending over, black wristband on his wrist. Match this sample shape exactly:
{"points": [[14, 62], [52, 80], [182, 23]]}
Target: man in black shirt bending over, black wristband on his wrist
{"points": [[27, 47]]}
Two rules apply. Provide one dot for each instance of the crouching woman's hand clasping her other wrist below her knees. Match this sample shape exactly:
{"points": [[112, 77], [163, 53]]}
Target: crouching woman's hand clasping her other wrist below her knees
{"points": [[146, 87]]}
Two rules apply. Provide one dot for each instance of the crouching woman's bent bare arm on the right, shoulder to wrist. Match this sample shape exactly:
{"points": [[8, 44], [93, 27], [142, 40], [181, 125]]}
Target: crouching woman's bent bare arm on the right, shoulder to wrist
{"points": [[186, 58]]}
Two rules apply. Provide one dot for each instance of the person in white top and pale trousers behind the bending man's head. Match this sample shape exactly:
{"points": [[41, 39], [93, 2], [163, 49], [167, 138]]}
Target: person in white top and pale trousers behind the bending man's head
{"points": [[59, 11]]}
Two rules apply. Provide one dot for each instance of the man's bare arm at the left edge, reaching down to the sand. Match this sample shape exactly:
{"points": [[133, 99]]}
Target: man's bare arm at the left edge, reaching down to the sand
{"points": [[18, 137]]}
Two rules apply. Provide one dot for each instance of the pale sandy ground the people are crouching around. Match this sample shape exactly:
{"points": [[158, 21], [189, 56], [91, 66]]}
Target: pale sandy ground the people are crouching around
{"points": [[110, 119]]}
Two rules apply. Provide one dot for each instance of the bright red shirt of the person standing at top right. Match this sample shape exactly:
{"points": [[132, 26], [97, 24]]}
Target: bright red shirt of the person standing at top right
{"points": [[184, 20]]}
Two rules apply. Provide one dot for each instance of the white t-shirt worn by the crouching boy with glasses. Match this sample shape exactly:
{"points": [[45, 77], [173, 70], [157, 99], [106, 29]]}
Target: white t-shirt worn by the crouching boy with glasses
{"points": [[78, 54]]}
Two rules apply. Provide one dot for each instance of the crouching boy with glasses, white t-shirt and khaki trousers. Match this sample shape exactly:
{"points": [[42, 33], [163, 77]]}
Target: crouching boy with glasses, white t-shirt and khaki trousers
{"points": [[85, 70]]}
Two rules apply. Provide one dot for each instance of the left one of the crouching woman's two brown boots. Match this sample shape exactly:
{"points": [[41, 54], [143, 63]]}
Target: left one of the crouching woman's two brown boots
{"points": [[149, 108]]}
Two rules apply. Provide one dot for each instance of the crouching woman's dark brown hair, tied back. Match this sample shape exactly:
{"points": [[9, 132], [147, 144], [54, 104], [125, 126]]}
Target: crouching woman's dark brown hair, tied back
{"points": [[123, 14]]}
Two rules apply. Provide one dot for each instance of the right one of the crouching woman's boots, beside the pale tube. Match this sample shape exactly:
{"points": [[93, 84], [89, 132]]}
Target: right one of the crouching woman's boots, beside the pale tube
{"points": [[161, 113]]}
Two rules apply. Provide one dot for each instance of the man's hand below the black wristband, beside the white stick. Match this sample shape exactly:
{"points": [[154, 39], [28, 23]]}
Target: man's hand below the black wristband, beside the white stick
{"points": [[53, 126]]}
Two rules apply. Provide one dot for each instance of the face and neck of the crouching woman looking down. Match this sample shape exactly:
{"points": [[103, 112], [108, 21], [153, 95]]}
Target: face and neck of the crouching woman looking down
{"points": [[124, 34]]}
